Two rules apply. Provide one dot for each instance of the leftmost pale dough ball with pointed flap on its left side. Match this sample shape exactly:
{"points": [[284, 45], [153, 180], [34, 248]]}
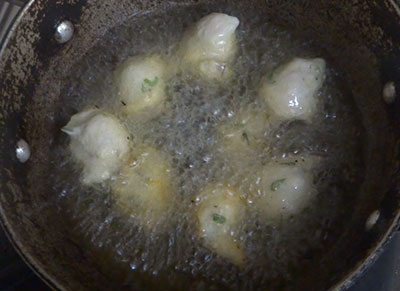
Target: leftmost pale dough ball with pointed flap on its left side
{"points": [[99, 142]]}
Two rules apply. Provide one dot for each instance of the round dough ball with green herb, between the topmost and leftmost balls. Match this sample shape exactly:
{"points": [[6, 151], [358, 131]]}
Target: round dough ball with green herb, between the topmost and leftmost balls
{"points": [[140, 83]]}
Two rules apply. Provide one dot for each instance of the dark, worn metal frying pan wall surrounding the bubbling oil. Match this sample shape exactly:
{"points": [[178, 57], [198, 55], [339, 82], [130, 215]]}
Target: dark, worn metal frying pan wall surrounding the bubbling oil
{"points": [[363, 40]]}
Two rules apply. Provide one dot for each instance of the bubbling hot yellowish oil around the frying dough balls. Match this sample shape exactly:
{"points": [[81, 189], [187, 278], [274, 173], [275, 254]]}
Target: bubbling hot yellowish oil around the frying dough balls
{"points": [[186, 132]]}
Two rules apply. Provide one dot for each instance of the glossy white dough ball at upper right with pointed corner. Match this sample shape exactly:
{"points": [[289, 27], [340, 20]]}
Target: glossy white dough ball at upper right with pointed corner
{"points": [[290, 91]]}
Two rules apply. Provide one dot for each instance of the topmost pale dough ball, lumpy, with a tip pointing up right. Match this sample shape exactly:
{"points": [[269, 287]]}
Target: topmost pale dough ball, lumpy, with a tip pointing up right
{"points": [[210, 45]]}
